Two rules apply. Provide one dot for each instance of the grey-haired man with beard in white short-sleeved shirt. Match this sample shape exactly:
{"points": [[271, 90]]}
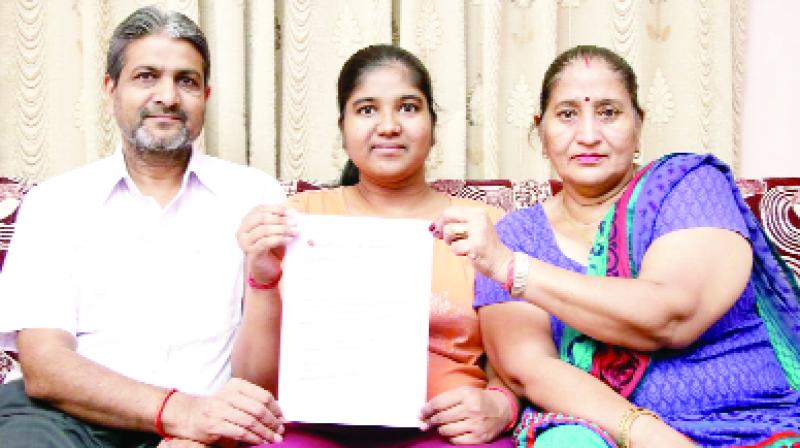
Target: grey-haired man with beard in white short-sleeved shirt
{"points": [[124, 279]]}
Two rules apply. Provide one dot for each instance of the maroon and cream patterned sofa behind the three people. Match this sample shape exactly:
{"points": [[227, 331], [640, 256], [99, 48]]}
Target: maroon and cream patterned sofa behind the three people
{"points": [[775, 201]]}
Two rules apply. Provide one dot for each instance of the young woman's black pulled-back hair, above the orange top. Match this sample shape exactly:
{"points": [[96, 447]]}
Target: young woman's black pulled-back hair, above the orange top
{"points": [[364, 61]]}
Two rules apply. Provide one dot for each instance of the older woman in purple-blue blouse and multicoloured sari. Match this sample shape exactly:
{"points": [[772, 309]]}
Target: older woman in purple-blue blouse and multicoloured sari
{"points": [[637, 307]]}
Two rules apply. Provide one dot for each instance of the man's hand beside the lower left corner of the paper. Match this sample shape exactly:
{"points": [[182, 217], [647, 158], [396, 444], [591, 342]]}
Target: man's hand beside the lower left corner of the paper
{"points": [[239, 411]]}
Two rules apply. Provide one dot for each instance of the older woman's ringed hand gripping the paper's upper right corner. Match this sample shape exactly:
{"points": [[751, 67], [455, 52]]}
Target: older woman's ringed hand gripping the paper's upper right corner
{"points": [[470, 232]]}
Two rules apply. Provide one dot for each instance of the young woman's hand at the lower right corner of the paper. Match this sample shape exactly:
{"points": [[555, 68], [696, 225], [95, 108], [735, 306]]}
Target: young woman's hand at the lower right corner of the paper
{"points": [[467, 415]]}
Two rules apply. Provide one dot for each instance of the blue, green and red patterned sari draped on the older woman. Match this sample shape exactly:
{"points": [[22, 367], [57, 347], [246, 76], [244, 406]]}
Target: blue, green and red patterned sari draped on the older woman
{"points": [[619, 247]]}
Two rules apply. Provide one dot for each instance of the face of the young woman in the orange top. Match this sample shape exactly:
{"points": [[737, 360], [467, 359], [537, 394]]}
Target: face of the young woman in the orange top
{"points": [[387, 126]]}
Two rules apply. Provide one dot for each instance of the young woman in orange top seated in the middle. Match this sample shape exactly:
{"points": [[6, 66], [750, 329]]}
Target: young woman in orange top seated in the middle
{"points": [[387, 122]]}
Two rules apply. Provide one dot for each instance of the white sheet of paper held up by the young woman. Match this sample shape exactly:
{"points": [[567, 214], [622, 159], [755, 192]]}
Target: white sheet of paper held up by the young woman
{"points": [[354, 332]]}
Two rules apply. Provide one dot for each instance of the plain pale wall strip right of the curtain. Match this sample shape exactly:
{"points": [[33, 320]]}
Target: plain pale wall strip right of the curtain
{"points": [[770, 119]]}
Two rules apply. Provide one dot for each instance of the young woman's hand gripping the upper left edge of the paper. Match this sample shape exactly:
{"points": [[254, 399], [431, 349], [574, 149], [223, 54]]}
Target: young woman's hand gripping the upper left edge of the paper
{"points": [[263, 235]]}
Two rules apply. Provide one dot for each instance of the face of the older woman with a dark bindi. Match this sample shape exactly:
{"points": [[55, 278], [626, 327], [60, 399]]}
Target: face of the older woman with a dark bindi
{"points": [[590, 130]]}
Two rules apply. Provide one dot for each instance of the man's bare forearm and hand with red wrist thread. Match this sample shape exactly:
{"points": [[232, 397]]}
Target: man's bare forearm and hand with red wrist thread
{"points": [[54, 372]]}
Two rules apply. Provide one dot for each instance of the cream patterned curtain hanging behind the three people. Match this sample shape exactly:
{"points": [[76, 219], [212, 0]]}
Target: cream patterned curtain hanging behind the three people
{"points": [[275, 62]]}
